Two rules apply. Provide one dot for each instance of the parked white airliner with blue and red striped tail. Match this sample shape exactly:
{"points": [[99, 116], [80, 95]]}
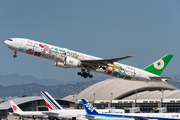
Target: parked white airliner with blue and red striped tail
{"points": [[55, 110]]}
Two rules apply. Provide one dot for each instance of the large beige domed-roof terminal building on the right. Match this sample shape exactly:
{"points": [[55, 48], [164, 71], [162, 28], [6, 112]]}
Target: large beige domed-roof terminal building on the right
{"points": [[122, 94]]}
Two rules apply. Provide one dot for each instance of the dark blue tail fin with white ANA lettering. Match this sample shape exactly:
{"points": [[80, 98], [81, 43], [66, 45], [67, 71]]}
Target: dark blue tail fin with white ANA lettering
{"points": [[88, 108]]}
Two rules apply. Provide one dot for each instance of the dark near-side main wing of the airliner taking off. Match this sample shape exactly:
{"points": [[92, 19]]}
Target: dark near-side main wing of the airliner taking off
{"points": [[95, 63]]}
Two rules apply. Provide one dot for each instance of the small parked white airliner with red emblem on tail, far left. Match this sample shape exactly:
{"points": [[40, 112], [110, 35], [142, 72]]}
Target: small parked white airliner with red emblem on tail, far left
{"points": [[26, 114]]}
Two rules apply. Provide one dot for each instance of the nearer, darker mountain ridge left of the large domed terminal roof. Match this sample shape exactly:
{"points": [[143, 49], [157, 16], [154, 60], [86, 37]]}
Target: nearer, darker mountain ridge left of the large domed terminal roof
{"points": [[58, 91]]}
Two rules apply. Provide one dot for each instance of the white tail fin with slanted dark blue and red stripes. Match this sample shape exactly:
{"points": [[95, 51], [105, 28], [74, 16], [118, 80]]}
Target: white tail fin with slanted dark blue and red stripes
{"points": [[50, 102]]}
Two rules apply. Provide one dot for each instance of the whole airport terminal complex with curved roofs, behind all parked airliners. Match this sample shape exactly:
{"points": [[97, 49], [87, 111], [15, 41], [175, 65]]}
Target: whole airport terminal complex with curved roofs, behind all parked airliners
{"points": [[116, 93]]}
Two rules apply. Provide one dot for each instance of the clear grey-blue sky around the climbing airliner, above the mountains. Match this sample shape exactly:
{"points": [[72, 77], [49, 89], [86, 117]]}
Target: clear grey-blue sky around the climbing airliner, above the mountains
{"points": [[147, 30]]}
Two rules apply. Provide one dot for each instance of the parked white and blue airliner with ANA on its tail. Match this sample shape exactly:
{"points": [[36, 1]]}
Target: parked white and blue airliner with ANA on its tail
{"points": [[91, 112]]}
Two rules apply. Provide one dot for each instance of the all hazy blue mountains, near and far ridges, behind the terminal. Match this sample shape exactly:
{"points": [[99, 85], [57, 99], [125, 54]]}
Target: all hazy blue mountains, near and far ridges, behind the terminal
{"points": [[33, 86]]}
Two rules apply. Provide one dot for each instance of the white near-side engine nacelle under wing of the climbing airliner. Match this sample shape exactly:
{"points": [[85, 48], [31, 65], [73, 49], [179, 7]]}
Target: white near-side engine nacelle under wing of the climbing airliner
{"points": [[72, 62]]}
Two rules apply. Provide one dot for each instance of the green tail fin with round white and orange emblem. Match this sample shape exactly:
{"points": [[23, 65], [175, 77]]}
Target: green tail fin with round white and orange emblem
{"points": [[158, 66]]}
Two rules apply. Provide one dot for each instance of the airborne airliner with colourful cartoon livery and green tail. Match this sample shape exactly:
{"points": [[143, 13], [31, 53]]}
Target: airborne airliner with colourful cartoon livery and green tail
{"points": [[65, 58]]}
